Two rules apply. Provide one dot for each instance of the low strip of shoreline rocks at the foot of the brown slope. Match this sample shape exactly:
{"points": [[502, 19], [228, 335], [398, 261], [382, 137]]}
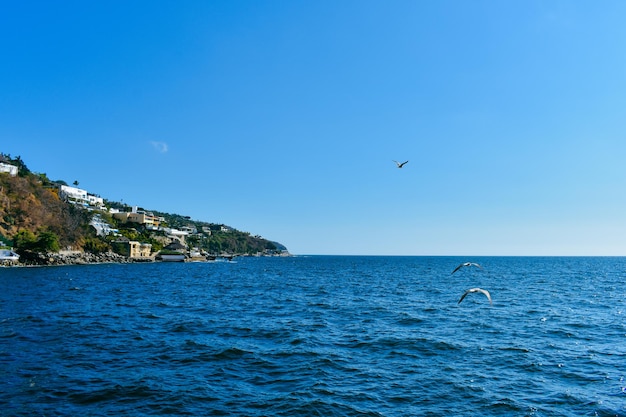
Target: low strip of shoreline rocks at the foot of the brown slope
{"points": [[75, 258]]}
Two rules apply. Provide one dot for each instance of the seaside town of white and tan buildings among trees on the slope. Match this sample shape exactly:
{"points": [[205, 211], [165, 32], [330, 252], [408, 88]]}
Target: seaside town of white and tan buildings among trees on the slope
{"points": [[111, 222]]}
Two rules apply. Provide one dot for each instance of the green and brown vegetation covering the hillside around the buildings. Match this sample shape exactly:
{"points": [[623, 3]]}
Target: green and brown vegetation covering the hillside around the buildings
{"points": [[34, 218]]}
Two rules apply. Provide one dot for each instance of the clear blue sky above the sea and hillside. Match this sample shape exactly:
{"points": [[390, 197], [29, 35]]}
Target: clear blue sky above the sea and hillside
{"points": [[283, 117]]}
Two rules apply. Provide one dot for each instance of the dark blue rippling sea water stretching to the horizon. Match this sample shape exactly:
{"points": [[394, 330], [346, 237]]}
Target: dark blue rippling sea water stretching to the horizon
{"points": [[316, 336]]}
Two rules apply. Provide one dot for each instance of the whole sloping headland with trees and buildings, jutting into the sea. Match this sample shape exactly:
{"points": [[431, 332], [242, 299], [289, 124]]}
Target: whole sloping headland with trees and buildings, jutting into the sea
{"points": [[46, 222]]}
